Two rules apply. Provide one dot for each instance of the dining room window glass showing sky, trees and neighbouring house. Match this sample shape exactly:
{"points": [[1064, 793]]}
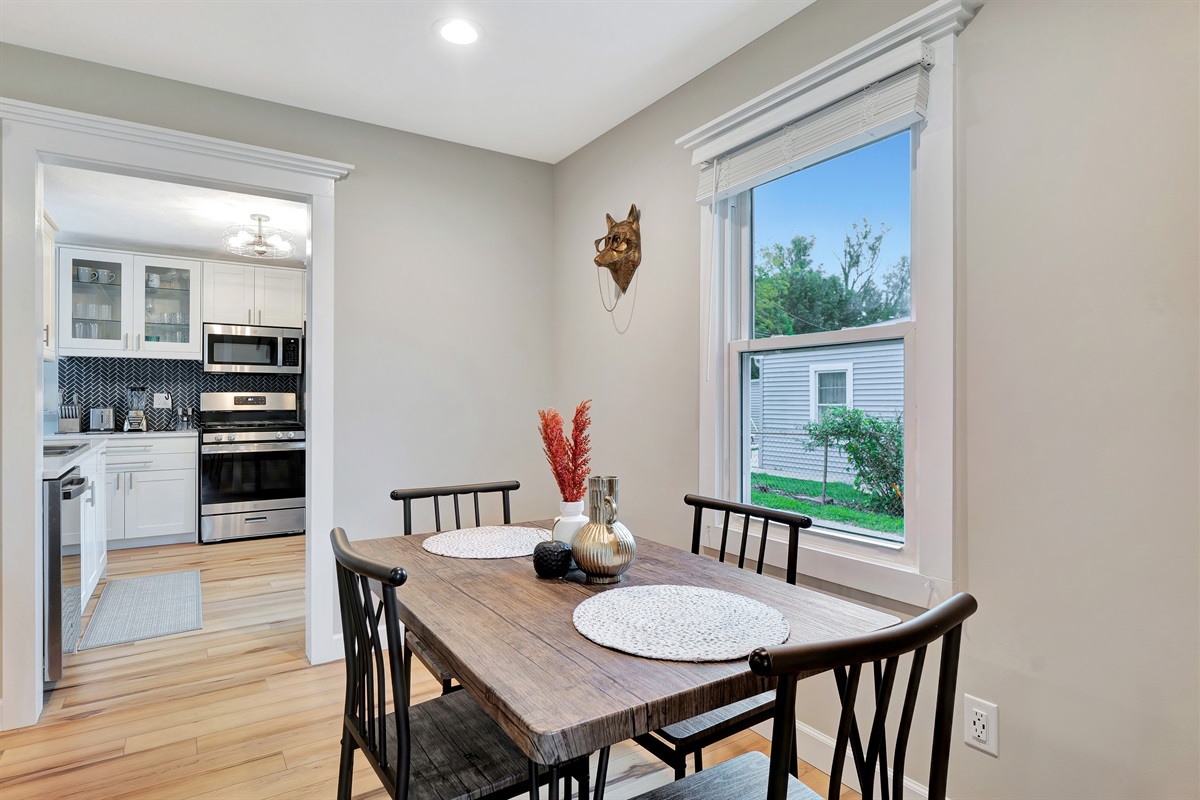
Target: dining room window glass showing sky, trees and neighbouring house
{"points": [[830, 251]]}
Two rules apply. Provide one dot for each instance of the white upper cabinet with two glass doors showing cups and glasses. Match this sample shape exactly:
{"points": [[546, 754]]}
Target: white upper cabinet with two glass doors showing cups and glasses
{"points": [[124, 305]]}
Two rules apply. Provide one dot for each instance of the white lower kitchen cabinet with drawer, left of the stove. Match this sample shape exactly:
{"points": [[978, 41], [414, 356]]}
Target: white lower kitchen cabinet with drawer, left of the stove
{"points": [[153, 492]]}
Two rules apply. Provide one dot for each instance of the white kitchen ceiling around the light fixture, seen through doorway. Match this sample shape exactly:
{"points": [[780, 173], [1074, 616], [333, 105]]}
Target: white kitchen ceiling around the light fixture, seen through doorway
{"points": [[124, 213]]}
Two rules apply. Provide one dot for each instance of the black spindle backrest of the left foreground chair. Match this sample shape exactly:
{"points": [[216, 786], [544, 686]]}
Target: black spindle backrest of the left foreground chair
{"points": [[367, 682]]}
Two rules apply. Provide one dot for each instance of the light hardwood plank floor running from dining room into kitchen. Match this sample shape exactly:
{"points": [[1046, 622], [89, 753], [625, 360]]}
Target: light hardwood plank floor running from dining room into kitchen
{"points": [[232, 712]]}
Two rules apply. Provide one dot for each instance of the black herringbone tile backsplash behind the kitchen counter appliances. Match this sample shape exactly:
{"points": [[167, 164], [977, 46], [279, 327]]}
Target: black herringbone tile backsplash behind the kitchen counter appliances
{"points": [[103, 383]]}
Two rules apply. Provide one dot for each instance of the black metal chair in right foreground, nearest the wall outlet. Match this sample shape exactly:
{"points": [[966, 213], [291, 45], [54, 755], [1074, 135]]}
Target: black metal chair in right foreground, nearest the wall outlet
{"points": [[753, 775]]}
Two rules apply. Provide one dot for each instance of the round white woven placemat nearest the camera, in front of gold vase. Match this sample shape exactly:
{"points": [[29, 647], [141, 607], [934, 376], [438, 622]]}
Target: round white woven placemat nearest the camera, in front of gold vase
{"points": [[680, 623]]}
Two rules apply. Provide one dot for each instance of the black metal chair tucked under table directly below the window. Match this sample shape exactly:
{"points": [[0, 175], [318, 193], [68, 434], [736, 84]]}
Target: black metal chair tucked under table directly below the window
{"points": [[675, 743]]}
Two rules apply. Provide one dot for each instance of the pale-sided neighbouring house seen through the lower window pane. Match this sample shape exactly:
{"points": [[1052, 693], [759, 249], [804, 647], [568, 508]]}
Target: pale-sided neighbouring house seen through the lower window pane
{"points": [[793, 388]]}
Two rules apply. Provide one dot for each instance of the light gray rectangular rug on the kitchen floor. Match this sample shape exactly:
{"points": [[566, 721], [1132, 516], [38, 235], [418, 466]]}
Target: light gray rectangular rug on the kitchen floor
{"points": [[143, 609]]}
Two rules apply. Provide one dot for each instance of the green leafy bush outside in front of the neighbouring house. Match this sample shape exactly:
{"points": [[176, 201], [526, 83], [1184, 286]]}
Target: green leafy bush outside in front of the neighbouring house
{"points": [[875, 449]]}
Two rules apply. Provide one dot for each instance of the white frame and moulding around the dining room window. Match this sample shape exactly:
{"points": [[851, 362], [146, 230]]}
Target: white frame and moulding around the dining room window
{"points": [[921, 573]]}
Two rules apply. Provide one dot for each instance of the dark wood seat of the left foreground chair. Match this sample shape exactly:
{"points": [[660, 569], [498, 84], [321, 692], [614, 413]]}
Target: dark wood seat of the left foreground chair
{"points": [[459, 753]]}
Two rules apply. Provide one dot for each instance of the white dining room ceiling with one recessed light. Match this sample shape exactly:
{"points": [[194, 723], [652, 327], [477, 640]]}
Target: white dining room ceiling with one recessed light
{"points": [[547, 79]]}
